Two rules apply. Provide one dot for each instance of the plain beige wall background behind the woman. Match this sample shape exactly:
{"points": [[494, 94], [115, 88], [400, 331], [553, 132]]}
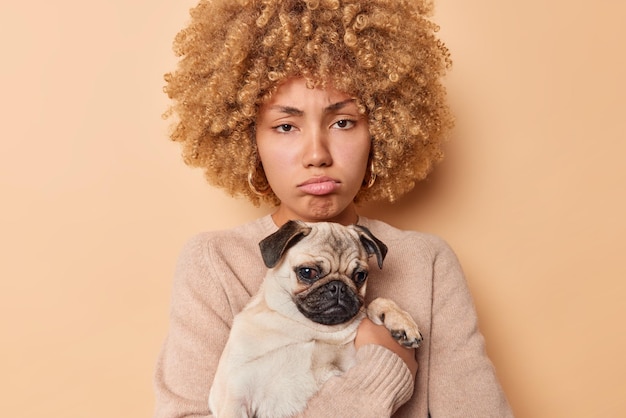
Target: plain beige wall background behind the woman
{"points": [[96, 203]]}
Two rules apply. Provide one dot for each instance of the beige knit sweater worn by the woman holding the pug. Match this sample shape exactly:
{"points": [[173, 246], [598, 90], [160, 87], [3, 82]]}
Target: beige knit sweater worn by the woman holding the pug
{"points": [[219, 271]]}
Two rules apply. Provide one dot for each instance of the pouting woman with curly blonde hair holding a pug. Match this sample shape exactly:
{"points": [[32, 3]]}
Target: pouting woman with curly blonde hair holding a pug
{"points": [[314, 106]]}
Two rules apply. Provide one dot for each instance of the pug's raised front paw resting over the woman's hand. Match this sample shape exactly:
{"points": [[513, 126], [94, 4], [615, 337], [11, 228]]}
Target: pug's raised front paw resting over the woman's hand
{"points": [[399, 323]]}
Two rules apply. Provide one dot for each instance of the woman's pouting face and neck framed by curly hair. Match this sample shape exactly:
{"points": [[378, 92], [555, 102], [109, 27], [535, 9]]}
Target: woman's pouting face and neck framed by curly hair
{"points": [[314, 146]]}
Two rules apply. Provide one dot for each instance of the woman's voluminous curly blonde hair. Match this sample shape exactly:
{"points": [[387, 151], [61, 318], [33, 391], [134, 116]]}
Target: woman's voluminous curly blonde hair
{"points": [[235, 54]]}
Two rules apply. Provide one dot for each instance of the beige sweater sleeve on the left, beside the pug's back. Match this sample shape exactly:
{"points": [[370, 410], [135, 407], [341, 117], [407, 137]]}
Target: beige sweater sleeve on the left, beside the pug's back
{"points": [[200, 319]]}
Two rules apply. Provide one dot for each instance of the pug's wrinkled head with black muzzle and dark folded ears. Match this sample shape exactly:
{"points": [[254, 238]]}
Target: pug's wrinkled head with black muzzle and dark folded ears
{"points": [[327, 265]]}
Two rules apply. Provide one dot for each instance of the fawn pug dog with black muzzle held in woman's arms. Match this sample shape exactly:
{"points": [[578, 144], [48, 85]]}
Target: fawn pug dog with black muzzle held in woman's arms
{"points": [[299, 329]]}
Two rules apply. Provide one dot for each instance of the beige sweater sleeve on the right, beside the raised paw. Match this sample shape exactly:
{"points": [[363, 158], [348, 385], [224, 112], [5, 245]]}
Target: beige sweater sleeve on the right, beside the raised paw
{"points": [[462, 379]]}
